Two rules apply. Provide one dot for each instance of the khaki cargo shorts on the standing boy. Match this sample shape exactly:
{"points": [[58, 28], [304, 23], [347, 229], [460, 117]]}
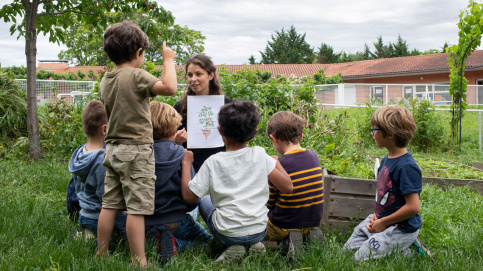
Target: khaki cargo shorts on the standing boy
{"points": [[130, 177]]}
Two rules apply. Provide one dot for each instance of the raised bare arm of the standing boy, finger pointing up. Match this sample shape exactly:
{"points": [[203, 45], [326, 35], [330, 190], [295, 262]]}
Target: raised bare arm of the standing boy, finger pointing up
{"points": [[168, 85]]}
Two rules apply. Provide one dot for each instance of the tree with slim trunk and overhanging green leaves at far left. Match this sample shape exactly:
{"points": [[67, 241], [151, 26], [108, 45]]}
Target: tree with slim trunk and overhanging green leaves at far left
{"points": [[52, 19]]}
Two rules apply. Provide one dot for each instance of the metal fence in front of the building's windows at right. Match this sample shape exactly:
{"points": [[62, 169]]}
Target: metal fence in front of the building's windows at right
{"points": [[357, 94]]}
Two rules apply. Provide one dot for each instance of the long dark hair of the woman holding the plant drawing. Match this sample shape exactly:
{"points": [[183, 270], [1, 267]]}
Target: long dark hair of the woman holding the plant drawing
{"points": [[215, 87]]}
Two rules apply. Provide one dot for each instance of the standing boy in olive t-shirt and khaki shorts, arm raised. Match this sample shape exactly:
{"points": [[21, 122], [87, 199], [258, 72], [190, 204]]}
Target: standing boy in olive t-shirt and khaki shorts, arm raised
{"points": [[129, 160]]}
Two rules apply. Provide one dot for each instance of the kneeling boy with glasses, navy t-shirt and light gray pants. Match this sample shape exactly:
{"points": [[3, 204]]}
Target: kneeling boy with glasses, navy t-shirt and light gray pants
{"points": [[395, 224]]}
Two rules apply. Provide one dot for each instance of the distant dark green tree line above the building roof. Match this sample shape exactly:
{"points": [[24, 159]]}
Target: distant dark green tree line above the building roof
{"points": [[290, 47]]}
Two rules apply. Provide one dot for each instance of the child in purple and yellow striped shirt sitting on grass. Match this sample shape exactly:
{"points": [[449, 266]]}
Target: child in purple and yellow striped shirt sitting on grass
{"points": [[293, 216]]}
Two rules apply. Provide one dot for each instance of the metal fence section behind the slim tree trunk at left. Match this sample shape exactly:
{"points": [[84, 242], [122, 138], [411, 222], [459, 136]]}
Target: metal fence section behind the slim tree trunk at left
{"points": [[54, 90]]}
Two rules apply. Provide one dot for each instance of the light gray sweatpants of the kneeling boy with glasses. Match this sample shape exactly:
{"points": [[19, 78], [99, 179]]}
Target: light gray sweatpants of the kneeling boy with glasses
{"points": [[376, 245]]}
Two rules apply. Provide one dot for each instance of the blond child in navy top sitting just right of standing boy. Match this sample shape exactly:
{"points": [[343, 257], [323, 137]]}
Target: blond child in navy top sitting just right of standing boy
{"points": [[170, 225]]}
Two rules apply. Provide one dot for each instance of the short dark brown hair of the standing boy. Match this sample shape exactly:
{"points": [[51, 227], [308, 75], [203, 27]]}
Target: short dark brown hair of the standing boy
{"points": [[122, 40]]}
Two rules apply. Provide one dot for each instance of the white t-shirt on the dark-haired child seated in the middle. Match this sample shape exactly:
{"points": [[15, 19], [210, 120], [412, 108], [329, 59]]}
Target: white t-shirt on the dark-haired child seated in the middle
{"points": [[237, 182]]}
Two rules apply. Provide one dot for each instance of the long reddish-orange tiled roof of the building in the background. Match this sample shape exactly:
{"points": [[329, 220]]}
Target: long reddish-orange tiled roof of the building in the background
{"points": [[367, 68]]}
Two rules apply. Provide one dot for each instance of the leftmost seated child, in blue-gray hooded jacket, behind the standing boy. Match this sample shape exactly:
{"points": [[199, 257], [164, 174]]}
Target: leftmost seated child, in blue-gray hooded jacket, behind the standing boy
{"points": [[88, 172]]}
